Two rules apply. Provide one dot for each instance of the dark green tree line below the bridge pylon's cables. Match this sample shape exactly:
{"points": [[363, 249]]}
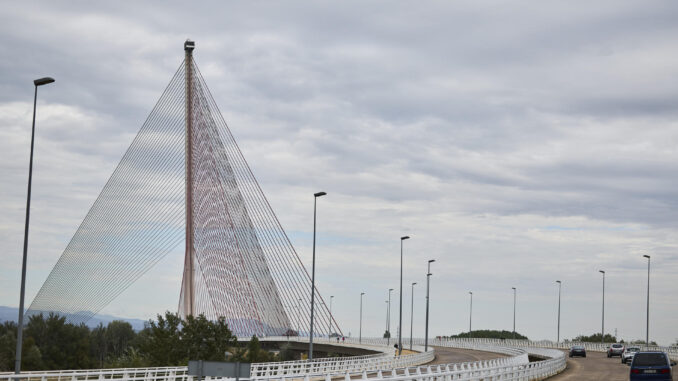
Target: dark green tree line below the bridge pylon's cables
{"points": [[51, 343]]}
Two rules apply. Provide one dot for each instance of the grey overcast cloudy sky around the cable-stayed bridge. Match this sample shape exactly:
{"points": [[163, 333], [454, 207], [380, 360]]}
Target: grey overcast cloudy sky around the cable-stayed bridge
{"points": [[517, 143]]}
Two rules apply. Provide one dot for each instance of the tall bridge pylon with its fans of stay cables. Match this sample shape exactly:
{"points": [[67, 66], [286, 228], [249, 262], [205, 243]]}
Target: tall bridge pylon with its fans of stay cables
{"points": [[183, 179]]}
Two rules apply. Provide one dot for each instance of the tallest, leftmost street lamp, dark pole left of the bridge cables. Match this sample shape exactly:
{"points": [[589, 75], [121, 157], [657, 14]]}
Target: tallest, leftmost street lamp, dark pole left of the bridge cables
{"points": [[19, 337]]}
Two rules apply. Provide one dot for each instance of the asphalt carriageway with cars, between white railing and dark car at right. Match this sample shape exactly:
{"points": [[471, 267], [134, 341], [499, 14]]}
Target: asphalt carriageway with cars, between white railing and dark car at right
{"points": [[596, 366]]}
